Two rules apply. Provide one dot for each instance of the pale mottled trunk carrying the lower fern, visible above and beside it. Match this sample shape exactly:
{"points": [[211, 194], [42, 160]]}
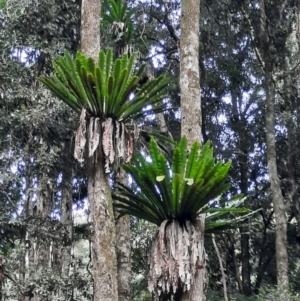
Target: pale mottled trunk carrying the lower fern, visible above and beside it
{"points": [[191, 114]]}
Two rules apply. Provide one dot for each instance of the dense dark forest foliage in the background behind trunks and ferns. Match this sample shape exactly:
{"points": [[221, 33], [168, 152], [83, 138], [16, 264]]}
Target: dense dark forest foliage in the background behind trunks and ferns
{"points": [[37, 169]]}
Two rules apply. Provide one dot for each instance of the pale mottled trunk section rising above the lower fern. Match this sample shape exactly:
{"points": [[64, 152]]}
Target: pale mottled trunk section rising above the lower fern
{"points": [[190, 101]]}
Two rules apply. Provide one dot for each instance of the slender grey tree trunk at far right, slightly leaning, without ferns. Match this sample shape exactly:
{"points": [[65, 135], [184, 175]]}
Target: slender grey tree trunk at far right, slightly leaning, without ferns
{"points": [[267, 50]]}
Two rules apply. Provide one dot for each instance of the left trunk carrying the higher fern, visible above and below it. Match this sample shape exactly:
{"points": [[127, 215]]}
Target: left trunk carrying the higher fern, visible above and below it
{"points": [[99, 193]]}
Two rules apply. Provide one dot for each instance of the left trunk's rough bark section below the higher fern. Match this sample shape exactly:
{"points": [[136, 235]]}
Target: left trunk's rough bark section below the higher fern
{"points": [[104, 231]]}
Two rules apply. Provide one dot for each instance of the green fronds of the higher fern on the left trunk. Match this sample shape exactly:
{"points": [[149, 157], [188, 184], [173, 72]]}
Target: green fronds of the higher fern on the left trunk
{"points": [[109, 88]]}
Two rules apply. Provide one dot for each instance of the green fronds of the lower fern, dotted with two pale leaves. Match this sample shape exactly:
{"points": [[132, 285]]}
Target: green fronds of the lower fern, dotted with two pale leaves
{"points": [[182, 193]]}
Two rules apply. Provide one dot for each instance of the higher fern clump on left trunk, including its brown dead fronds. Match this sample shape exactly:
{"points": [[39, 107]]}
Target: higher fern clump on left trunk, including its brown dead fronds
{"points": [[109, 96]]}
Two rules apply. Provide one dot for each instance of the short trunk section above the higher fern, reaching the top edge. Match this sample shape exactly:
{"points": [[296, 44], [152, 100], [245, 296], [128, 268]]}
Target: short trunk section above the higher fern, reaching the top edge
{"points": [[90, 28]]}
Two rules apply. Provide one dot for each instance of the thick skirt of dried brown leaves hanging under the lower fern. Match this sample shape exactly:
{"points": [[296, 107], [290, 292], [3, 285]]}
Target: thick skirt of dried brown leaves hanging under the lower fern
{"points": [[174, 257]]}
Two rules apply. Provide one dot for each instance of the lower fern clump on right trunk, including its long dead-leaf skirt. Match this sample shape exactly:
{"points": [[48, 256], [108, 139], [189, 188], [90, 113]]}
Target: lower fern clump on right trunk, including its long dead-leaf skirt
{"points": [[172, 194]]}
